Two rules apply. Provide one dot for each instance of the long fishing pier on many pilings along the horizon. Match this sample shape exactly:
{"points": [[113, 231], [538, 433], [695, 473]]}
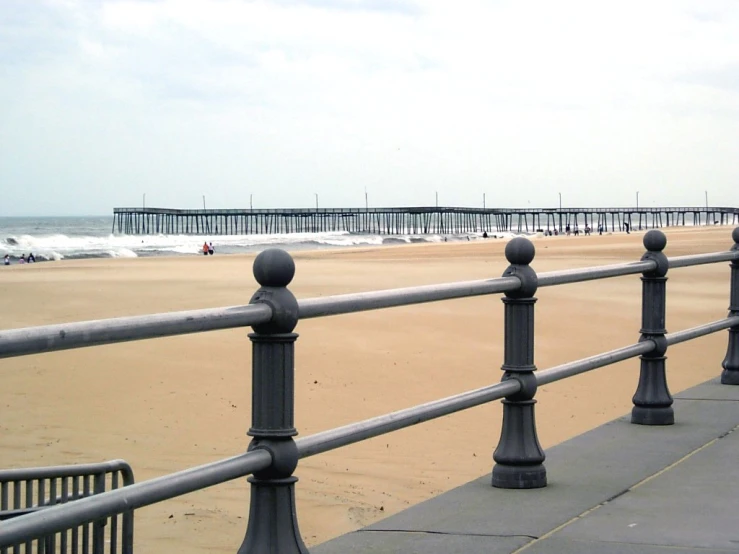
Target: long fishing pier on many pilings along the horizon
{"points": [[409, 220]]}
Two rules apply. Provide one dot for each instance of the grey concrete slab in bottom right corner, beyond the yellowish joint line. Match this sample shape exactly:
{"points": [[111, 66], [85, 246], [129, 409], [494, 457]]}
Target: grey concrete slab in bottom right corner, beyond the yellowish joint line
{"points": [[692, 504]]}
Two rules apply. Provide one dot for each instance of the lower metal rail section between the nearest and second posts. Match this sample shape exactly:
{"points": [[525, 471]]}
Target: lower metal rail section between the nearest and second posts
{"points": [[380, 425]]}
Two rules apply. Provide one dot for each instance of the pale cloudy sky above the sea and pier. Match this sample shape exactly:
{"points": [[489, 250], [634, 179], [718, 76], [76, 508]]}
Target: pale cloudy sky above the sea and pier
{"points": [[102, 101]]}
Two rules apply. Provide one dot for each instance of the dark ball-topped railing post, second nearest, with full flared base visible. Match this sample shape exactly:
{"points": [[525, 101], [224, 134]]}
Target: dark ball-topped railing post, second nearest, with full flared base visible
{"points": [[519, 457]]}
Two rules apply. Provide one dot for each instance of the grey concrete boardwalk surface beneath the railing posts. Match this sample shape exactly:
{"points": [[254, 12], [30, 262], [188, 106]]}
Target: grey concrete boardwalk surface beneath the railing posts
{"points": [[619, 488]]}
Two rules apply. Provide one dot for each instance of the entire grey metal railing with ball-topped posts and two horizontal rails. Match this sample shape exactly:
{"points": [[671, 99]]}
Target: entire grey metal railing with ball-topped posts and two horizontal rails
{"points": [[273, 312]]}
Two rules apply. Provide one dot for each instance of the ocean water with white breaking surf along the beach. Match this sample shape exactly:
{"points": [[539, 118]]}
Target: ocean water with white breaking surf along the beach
{"points": [[58, 238]]}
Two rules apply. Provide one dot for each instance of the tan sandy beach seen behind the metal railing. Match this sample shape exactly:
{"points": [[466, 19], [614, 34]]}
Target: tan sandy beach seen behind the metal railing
{"points": [[168, 404]]}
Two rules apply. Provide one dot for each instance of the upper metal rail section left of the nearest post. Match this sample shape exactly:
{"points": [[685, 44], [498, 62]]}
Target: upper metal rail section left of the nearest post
{"points": [[48, 338]]}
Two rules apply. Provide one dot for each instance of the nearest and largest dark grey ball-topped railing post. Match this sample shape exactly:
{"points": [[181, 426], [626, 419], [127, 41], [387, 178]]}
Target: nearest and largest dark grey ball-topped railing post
{"points": [[273, 524]]}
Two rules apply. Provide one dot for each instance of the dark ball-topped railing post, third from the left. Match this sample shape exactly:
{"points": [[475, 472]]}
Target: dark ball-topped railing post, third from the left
{"points": [[652, 400]]}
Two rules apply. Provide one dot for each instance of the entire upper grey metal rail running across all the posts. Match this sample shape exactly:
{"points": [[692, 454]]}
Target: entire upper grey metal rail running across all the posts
{"points": [[49, 338]]}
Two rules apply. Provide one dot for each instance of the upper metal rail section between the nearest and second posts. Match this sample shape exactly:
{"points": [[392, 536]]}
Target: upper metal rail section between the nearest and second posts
{"points": [[375, 300]]}
